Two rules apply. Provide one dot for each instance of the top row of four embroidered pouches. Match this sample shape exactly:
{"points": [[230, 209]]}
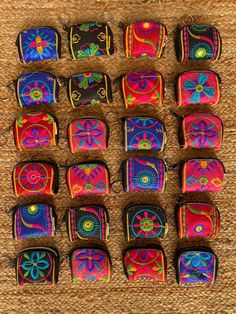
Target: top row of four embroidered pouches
{"points": [[141, 38]]}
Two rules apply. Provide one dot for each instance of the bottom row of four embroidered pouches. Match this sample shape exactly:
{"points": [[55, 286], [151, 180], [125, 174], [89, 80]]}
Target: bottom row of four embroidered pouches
{"points": [[37, 265]]}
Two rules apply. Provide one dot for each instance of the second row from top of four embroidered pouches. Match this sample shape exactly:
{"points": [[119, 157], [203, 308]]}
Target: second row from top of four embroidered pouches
{"points": [[137, 88]]}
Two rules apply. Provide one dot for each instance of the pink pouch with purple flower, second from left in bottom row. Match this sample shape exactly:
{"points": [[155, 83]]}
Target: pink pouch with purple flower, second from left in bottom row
{"points": [[90, 263]]}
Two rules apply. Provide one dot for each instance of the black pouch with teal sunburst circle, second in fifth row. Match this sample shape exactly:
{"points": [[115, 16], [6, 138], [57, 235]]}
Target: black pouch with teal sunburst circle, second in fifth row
{"points": [[87, 222]]}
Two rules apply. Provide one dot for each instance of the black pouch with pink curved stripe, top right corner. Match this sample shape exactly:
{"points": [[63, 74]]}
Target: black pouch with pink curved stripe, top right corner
{"points": [[197, 42]]}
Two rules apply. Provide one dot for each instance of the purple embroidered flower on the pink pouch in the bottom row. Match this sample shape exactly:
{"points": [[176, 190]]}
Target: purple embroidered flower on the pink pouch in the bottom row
{"points": [[91, 260]]}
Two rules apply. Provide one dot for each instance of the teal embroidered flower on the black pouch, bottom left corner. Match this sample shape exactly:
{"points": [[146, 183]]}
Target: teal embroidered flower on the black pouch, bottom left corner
{"points": [[35, 264]]}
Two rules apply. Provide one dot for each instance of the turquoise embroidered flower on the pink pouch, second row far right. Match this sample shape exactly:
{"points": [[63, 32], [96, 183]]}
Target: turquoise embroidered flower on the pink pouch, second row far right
{"points": [[199, 88]]}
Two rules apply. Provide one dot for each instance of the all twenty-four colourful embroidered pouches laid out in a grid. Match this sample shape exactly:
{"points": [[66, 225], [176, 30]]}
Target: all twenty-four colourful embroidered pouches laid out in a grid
{"points": [[144, 225]]}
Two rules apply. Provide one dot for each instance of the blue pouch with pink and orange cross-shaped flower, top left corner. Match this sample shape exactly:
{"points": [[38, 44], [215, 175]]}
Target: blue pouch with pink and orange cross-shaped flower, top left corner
{"points": [[39, 43]]}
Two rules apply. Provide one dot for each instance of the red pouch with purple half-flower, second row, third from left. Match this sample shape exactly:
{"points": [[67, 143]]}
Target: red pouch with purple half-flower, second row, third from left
{"points": [[142, 88]]}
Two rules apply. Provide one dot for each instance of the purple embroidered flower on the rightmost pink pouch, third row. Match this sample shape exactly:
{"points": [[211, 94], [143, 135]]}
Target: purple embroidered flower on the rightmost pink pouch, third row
{"points": [[203, 133]]}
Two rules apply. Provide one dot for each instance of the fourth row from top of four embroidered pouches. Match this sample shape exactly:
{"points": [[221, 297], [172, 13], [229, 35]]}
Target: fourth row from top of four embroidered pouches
{"points": [[138, 174]]}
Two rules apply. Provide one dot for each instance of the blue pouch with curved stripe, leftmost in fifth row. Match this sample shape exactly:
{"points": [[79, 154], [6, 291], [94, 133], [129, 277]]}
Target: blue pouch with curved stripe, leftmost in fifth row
{"points": [[34, 221]]}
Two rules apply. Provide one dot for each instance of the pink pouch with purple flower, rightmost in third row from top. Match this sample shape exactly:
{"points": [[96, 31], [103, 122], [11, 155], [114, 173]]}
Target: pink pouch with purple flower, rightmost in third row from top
{"points": [[200, 130]]}
